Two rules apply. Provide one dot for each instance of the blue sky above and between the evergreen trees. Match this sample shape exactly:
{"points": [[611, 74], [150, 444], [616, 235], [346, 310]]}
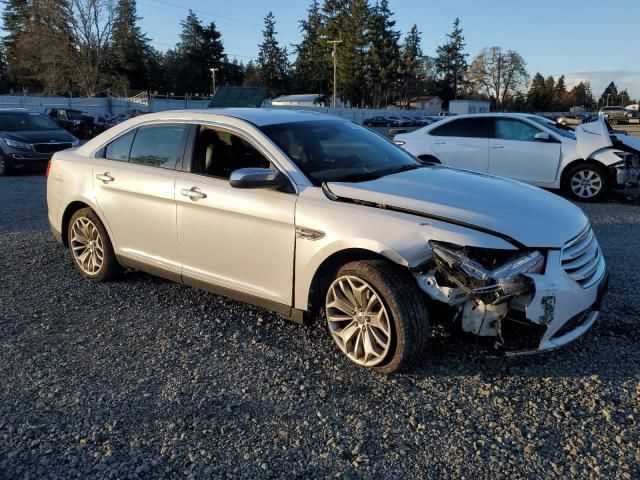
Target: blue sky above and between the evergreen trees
{"points": [[581, 39]]}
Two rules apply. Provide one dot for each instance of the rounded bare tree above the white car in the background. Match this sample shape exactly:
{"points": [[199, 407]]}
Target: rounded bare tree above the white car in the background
{"points": [[498, 75]]}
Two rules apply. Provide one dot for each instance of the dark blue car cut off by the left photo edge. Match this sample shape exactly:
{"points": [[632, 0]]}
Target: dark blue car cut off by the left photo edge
{"points": [[28, 139]]}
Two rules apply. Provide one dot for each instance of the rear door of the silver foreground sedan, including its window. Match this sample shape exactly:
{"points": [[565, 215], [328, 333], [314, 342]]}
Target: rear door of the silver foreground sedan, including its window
{"points": [[134, 181]]}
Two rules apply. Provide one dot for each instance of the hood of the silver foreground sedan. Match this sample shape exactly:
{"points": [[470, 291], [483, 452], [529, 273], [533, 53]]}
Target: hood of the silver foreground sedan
{"points": [[527, 214]]}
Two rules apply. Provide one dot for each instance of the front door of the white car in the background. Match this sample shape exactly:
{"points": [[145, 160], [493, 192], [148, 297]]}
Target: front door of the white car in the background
{"points": [[515, 153]]}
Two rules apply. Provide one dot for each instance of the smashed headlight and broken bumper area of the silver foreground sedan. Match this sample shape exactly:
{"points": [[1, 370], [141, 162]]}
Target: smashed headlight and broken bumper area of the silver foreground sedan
{"points": [[494, 293]]}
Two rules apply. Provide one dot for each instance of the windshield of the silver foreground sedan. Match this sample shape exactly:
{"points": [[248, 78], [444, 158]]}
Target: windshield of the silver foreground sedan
{"points": [[339, 151]]}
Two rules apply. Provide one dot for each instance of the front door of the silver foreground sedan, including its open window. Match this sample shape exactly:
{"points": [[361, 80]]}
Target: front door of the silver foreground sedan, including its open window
{"points": [[236, 239]]}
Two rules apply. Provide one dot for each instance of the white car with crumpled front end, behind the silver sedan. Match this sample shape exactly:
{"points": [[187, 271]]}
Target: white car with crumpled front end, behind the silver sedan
{"points": [[529, 148]]}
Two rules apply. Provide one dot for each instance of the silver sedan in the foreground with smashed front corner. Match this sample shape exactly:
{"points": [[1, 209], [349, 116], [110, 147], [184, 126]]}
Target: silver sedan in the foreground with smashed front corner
{"points": [[304, 213]]}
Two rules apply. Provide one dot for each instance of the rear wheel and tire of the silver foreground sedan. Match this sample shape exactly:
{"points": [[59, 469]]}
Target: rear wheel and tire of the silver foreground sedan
{"points": [[90, 247]]}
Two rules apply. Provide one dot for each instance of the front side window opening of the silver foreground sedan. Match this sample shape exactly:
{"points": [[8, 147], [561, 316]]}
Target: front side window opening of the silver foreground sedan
{"points": [[218, 153]]}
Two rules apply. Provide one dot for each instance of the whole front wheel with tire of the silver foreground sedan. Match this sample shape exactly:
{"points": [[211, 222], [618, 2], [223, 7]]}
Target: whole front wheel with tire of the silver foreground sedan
{"points": [[376, 315]]}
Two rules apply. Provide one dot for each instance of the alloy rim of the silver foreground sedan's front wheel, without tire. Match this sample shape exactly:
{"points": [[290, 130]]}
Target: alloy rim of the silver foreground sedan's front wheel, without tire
{"points": [[358, 320]]}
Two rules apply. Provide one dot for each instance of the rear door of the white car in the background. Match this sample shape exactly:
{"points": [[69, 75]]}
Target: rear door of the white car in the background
{"points": [[462, 143]]}
